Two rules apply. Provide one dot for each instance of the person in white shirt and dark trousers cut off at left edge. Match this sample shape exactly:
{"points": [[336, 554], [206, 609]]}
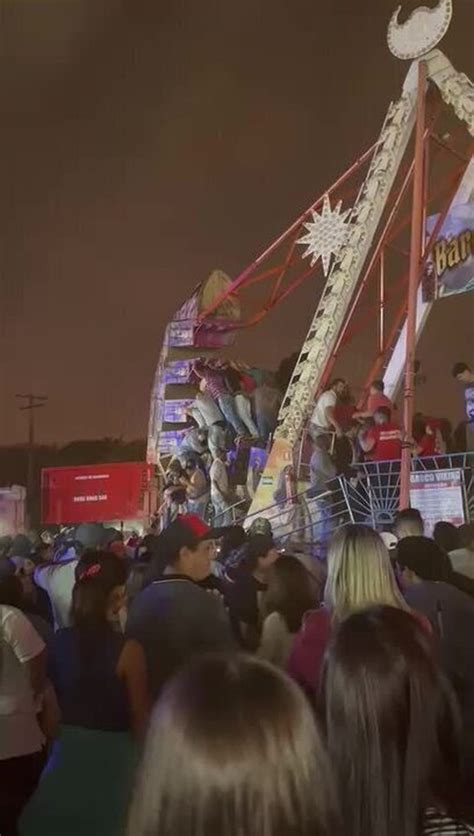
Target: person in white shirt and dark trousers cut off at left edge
{"points": [[22, 681]]}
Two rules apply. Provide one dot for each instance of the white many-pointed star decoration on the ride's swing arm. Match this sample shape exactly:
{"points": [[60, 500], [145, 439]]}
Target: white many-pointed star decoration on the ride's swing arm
{"points": [[326, 234]]}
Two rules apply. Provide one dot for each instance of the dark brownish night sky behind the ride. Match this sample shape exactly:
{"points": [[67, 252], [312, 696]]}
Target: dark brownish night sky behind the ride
{"points": [[144, 144]]}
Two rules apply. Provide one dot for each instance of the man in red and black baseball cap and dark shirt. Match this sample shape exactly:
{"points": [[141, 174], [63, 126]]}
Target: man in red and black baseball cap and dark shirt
{"points": [[174, 619]]}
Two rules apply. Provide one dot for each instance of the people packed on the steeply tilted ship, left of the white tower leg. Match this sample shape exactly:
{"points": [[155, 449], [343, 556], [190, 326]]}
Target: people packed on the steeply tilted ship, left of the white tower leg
{"points": [[235, 407]]}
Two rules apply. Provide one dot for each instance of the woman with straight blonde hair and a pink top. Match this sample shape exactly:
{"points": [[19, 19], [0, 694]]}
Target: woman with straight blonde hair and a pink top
{"points": [[360, 575]]}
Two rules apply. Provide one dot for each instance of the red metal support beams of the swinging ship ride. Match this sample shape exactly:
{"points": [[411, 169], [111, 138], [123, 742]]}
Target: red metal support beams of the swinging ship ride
{"points": [[291, 270]]}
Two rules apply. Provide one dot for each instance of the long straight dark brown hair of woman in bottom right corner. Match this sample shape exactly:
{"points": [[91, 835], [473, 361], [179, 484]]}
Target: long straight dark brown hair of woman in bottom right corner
{"points": [[392, 728]]}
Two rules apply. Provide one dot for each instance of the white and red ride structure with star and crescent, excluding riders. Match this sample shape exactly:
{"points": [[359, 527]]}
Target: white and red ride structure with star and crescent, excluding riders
{"points": [[368, 235]]}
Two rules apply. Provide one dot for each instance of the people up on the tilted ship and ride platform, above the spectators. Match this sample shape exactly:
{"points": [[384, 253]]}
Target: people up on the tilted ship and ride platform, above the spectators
{"points": [[237, 408]]}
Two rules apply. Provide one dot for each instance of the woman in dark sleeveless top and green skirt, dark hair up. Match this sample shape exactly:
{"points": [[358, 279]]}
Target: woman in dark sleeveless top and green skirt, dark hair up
{"points": [[101, 685]]}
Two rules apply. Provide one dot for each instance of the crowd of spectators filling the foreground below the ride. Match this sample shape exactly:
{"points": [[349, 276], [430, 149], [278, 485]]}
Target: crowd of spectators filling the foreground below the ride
{"points": [[205, 681]]}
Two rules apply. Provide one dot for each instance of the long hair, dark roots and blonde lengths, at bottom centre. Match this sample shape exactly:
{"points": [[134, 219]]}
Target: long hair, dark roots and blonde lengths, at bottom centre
{"points": [[233, 750]]}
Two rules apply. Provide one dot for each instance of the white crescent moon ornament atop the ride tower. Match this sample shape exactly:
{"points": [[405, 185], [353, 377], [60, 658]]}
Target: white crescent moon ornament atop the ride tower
{"points": [[421, 32]]}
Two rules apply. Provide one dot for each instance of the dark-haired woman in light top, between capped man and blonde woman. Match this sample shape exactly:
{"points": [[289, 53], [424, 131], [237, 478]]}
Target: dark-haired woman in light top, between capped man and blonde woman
{"points": [[291, 593]]}
